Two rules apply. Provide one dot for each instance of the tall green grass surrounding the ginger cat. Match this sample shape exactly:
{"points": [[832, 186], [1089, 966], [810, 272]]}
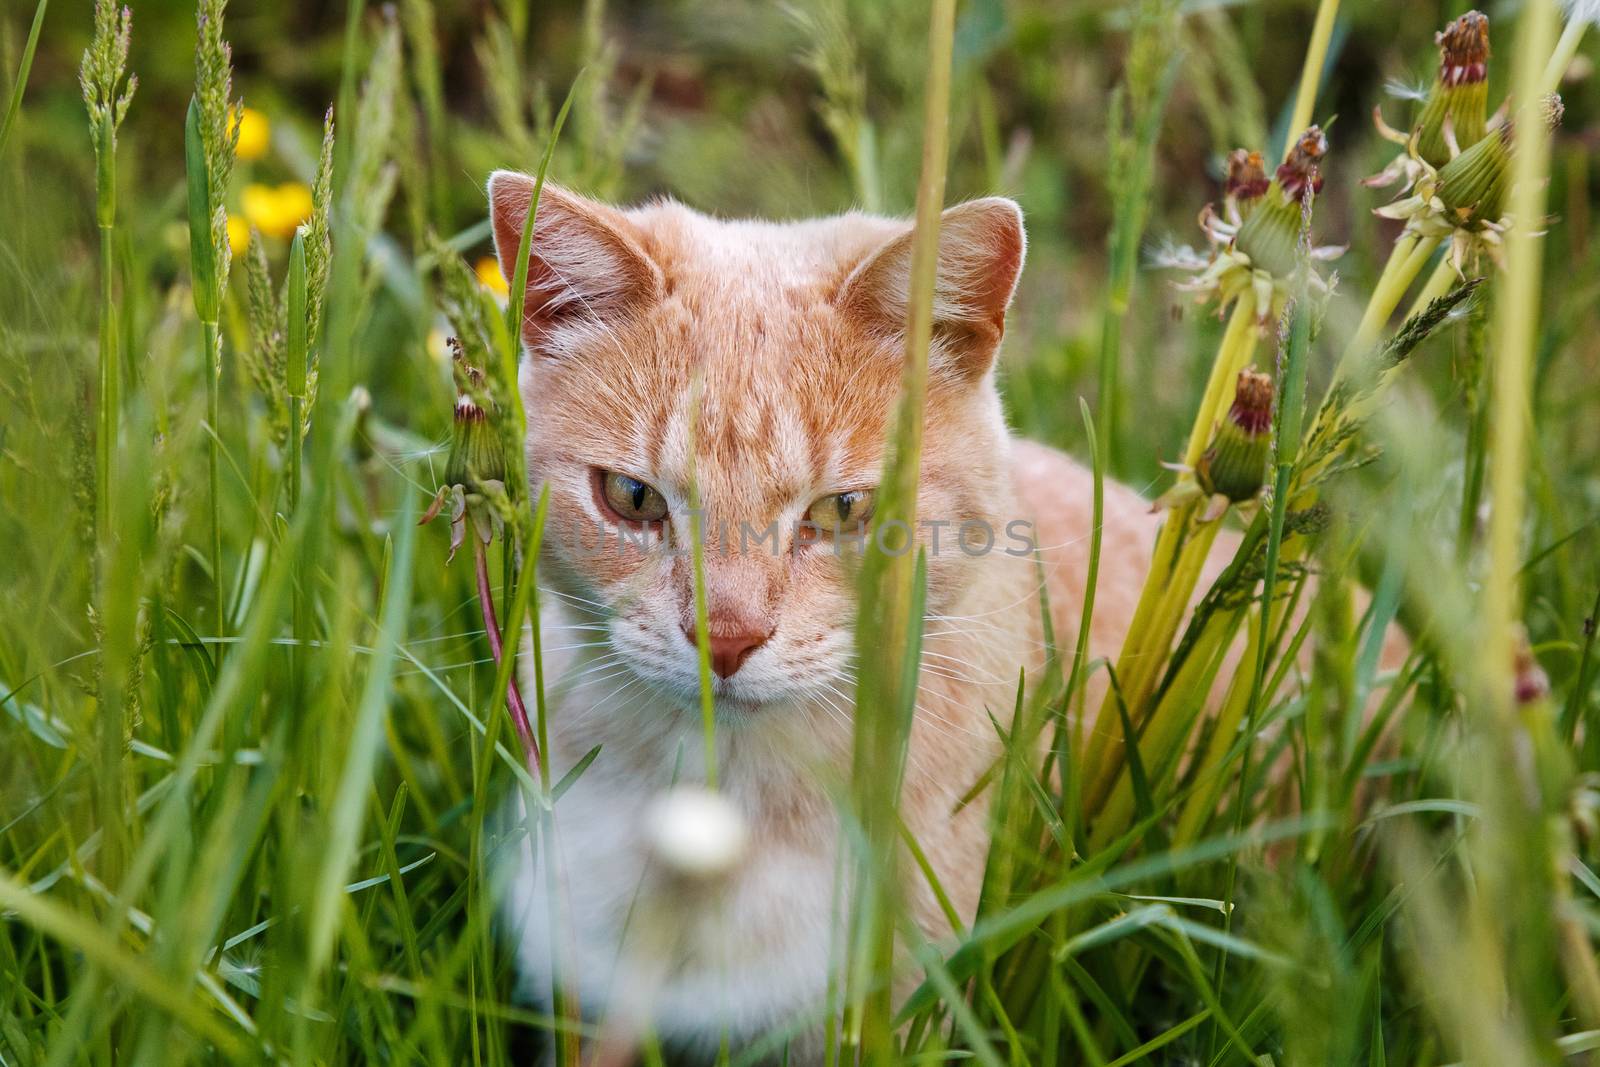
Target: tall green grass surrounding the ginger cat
{"points": [[254, 735]]}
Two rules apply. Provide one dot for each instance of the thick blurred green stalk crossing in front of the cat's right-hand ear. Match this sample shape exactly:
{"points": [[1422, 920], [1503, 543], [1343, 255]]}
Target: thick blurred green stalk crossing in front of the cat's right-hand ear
{"points": [[886, 637]]}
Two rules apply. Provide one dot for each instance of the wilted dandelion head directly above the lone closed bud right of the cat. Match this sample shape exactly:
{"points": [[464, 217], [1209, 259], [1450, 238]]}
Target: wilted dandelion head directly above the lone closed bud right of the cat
{"points": [[1255, 242]]}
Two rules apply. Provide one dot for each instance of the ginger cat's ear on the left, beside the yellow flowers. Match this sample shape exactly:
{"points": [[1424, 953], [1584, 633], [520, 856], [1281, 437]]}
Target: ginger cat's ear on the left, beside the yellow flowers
{"points": [[585, 265]]}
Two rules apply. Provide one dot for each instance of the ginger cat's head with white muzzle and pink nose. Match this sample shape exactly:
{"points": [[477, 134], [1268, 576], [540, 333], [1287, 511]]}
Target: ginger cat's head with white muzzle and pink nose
{"points": [[758, 364]]}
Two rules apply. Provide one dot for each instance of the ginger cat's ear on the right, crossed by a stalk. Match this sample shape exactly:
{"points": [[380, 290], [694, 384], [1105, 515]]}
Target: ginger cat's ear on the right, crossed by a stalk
{"points": [[982, 247]]}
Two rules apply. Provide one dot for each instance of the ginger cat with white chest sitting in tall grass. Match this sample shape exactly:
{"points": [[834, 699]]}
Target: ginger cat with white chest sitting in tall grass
{"points": [[794, 332]]}
